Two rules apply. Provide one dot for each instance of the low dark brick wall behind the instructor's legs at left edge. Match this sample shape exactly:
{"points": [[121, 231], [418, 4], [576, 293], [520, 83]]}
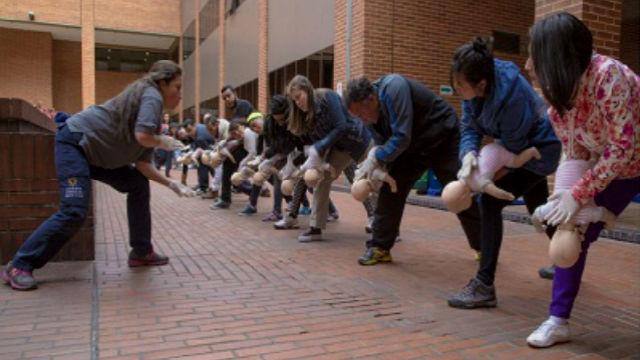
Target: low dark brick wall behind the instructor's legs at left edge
{"points": [[28, 186]]}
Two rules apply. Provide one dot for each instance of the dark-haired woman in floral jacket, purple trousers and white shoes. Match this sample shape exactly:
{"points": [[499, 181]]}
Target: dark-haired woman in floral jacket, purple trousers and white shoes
{"points": [[595, 111]]}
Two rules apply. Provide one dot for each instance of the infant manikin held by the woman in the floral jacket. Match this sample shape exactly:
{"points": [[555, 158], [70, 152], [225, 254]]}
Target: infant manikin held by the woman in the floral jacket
{"points": [[565, 245]]}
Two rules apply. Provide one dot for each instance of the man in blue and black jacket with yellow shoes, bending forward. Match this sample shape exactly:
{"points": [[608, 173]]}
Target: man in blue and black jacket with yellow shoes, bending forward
{"points": [[415, 130]]}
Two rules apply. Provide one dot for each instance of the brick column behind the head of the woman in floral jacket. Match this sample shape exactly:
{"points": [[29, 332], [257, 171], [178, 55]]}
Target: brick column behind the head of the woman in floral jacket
{"points": [[603, 17]]}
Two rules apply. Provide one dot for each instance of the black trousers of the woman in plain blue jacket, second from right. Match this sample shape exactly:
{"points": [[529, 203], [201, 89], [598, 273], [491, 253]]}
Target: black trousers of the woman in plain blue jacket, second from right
{"points": [[520, 182]]}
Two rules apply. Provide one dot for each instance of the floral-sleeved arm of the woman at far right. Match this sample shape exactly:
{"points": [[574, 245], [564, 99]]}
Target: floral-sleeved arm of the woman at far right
{"points": [[616, 105]]}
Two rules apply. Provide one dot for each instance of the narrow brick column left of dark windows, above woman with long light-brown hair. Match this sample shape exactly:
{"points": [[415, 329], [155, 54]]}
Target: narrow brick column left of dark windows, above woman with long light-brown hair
{"points": [[263, 55]]}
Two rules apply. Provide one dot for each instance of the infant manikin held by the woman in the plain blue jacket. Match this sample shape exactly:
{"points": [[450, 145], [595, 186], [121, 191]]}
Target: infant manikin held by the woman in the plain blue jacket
{"points": [[493, 157]]}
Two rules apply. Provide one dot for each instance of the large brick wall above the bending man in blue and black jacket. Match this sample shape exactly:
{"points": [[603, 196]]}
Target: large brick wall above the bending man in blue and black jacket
{"points": [[418, 39]]}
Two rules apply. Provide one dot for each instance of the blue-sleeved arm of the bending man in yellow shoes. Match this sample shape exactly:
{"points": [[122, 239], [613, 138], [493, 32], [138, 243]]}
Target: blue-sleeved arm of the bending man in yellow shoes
{"points": [[395, 96]]}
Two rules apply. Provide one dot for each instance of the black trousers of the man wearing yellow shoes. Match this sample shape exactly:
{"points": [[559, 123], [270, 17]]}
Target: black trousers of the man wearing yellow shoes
{"points": [[406, 170]]}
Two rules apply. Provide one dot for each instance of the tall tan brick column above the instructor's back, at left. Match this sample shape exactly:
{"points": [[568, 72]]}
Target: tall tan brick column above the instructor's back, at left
{"points": [[88, 60]]}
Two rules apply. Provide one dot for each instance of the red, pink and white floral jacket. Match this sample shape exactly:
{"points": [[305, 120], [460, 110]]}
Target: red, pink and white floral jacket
{"points": [[606, 126]]}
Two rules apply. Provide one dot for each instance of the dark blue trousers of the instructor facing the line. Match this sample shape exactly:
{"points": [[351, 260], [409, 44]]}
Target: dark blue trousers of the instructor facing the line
{"points": [[74, 178]]}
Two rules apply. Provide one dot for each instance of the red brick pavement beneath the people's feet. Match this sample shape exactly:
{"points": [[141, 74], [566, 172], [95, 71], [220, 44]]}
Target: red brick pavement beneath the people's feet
{"points": [[236, 288]]}
